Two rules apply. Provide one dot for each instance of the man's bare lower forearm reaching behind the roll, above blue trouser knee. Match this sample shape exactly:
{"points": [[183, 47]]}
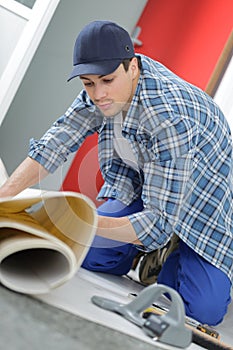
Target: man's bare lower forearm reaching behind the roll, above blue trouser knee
{"points": [[119, 229]]}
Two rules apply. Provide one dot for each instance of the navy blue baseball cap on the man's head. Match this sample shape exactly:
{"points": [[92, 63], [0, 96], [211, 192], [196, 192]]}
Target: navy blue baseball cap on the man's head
{"points": [[99, 49]]}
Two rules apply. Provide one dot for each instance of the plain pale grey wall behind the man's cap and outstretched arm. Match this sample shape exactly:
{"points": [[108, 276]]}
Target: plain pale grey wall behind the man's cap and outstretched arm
{"points": [[44, 94]]}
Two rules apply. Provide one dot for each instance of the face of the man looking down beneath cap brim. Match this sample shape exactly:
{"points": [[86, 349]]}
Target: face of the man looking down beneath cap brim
{"points": [[112, 93]]}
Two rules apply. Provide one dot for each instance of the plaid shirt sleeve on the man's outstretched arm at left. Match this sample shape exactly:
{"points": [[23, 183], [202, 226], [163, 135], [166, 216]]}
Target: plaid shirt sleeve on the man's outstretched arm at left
{"points": [[66, 134]]}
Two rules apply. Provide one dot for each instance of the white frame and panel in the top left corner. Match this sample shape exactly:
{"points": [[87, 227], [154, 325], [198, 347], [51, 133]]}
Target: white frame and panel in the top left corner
{"points": [[23, 43]]}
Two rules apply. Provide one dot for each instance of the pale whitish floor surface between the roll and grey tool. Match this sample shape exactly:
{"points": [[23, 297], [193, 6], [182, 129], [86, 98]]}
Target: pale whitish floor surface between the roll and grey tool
{"points": [[75, 297]]}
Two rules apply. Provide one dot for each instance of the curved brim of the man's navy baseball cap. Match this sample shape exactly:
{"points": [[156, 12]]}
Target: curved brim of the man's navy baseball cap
{"points": [[95, 68]]}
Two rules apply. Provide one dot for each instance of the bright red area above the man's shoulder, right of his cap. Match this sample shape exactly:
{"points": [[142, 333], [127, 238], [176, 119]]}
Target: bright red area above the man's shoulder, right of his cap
{"points": [[187, 36]]}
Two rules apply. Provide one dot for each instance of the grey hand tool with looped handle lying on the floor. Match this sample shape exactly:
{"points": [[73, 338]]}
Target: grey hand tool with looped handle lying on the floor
{"points": [[168, 328]]}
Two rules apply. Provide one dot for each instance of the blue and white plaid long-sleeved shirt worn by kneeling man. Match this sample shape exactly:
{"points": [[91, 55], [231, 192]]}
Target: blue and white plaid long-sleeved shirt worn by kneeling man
{"points": [[183, 147]]}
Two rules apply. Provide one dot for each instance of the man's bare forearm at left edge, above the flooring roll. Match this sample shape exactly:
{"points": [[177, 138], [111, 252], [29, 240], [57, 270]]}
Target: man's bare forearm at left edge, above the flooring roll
{"points": [[28, 173]]}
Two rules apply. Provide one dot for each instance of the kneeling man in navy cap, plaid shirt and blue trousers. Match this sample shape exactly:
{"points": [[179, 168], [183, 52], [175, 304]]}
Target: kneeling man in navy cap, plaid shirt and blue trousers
{"points": [[165, 154]]}
